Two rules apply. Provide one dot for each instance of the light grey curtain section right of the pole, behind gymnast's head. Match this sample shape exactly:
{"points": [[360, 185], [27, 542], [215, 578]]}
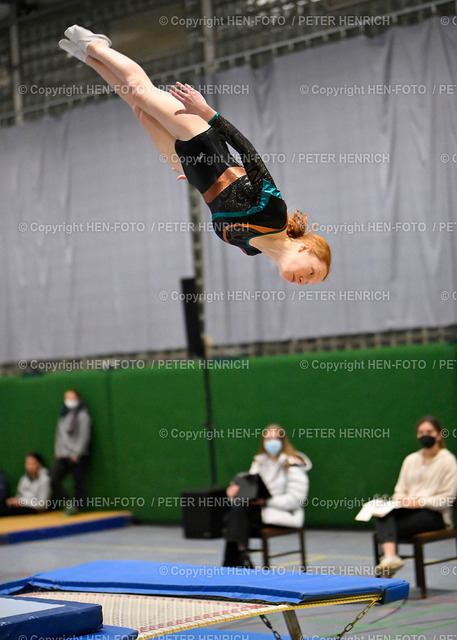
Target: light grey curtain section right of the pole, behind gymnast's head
{"points": [[384, 215]]}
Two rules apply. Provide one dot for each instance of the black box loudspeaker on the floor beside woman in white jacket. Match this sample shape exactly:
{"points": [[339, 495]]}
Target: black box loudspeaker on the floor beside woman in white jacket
{"points": [[203, 512]]}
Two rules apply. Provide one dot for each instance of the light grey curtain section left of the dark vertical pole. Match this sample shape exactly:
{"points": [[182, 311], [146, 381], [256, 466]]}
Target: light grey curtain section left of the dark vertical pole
{"points": [[96, 290]]}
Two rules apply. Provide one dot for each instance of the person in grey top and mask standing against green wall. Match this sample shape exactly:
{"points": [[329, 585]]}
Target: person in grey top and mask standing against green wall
{"points": [[71, 450]]}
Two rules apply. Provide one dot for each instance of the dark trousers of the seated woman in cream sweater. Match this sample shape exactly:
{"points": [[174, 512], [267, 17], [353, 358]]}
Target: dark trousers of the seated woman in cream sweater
{"points": [[401, 524]]}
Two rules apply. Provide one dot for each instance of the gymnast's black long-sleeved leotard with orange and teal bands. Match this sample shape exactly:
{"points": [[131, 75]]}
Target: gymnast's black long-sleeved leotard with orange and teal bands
{"points": [[250, 205]]}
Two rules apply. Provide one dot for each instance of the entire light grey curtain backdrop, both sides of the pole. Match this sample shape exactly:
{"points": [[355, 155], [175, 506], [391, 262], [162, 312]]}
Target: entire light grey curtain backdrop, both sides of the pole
{"points": [[389, 215]]}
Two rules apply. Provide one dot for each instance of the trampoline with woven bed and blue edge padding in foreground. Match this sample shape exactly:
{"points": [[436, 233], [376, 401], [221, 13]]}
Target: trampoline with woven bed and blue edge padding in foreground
{"points": [[159, 599]]}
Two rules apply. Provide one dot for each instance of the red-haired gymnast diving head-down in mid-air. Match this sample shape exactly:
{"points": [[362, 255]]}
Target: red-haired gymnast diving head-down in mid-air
{"points": [[247, 209]]}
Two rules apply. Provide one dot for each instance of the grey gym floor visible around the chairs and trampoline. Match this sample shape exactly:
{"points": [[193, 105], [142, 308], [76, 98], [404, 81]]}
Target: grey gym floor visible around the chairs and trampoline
{"points": [[328, 551]]}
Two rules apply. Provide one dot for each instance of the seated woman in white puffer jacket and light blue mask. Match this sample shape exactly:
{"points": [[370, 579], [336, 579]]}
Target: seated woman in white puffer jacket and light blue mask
{"points": [[285, 474]]}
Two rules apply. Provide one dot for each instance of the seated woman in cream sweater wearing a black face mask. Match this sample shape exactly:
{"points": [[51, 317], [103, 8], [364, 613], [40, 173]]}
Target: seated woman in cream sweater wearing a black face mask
{"points": [[426, 487]]}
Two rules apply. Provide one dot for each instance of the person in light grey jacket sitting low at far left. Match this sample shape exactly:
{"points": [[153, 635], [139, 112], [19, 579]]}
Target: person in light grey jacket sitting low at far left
{"points": [[33, 490]]}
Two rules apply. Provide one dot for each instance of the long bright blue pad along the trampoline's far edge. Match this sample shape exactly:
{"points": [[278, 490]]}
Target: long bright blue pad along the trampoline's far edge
{"points": [[160, 578]]}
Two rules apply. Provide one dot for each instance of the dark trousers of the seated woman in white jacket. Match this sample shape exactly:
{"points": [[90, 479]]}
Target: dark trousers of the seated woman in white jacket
{"points": [[241, 521]]}
